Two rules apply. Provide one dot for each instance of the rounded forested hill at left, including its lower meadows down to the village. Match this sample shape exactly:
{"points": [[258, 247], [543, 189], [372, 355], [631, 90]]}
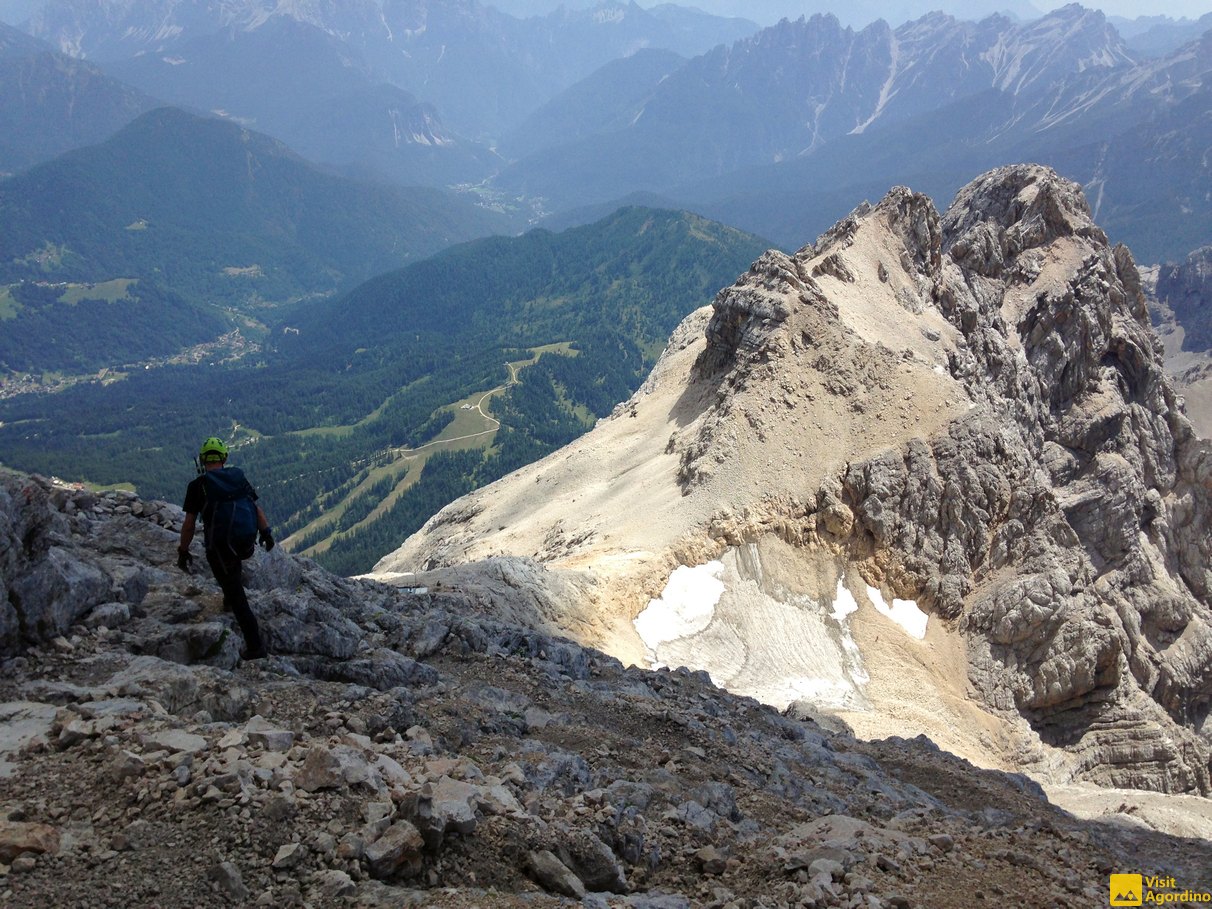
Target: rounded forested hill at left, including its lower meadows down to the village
{"points": [[202, 220]]}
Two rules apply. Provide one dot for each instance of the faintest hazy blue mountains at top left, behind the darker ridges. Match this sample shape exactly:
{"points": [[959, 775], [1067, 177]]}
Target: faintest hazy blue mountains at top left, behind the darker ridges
{"points": [[483, 70]]}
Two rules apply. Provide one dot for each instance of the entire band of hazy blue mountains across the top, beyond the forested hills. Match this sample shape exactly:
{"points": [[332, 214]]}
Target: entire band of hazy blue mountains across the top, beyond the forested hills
{"points": [[586, 107]]}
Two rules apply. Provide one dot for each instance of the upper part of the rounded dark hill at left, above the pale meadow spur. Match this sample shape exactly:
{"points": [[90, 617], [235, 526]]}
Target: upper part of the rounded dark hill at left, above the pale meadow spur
{"points": [[214, 211]]}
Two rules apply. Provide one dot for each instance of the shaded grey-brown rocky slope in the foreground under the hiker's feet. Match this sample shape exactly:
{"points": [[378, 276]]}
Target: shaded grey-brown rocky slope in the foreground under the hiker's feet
{"points": [[407, 750]]}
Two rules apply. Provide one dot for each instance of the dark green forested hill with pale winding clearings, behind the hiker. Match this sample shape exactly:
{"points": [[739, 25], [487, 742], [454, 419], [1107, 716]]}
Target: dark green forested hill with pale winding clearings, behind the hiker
{"points": [[494, 353]]}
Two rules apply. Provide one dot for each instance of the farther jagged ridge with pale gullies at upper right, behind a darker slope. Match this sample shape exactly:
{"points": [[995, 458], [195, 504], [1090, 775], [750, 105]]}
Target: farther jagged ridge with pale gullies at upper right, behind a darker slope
{"points": [[794, 88]]}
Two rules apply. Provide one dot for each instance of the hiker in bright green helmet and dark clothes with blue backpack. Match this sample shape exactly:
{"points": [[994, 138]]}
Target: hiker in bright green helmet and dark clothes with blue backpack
{"points": [[232, 525]]}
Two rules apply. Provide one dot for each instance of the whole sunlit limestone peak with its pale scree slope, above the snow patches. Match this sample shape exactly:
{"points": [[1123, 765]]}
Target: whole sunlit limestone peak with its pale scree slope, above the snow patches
{"points": [[965, 410]]}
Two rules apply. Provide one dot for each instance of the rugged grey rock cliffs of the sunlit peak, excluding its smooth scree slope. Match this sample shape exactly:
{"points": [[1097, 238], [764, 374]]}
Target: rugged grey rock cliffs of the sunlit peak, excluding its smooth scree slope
{"points": [[1062, 522]]}
